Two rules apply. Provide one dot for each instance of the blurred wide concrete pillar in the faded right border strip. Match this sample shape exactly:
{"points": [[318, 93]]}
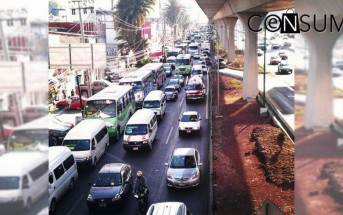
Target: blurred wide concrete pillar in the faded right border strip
{"points": [[319, 95]]}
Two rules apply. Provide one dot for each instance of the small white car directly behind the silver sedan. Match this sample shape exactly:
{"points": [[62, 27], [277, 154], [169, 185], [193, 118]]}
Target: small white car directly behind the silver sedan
{"points": [[190, 122]]}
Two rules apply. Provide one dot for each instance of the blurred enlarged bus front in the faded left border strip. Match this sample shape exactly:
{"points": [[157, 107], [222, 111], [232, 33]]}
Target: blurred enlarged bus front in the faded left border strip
{"points": [[31, 136]]}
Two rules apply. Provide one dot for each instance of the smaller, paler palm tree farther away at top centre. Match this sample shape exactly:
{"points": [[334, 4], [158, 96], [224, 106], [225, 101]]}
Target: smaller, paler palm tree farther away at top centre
{"points": [[172, 11]]}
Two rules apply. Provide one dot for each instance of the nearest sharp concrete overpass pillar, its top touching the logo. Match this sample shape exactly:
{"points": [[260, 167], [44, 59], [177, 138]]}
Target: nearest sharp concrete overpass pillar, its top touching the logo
{"points": [[250, 74]]}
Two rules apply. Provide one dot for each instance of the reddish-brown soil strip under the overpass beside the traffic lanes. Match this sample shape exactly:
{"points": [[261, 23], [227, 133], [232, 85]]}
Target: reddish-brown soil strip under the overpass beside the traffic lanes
{"points": [[240, 184]]}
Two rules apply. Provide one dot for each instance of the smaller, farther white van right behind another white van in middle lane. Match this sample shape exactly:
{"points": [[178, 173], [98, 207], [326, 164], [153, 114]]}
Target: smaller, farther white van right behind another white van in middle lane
{"points": [[156, 101]]}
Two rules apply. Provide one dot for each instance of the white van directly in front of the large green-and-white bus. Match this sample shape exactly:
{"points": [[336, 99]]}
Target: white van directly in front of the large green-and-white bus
{"points": [[87, 141]]}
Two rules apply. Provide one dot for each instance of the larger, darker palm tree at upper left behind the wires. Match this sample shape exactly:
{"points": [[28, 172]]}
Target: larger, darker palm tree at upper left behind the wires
{"points": [[129, 18]]}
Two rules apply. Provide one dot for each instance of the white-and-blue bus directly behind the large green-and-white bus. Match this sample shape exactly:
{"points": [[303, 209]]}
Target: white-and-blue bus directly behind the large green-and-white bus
{"points": [[142, 82]]}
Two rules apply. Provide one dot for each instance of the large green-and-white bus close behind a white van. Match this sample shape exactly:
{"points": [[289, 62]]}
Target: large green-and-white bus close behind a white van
{"points": [[114, 104]]}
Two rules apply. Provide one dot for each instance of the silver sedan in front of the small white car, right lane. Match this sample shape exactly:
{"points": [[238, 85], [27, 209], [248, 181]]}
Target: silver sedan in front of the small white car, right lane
{"points": [[184, 168]]}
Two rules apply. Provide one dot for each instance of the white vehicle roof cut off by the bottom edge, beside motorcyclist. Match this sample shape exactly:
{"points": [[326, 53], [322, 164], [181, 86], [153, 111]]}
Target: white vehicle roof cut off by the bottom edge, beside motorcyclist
{"points": [[168, 208]]}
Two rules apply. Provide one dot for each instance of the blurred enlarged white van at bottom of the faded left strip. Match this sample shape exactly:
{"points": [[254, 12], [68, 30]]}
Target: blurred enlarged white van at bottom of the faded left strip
{"points": [[22, 179]]}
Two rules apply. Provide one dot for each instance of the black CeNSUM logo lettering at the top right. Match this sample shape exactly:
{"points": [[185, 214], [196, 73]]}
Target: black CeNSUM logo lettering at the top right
{"points": [[294, 23]]}
